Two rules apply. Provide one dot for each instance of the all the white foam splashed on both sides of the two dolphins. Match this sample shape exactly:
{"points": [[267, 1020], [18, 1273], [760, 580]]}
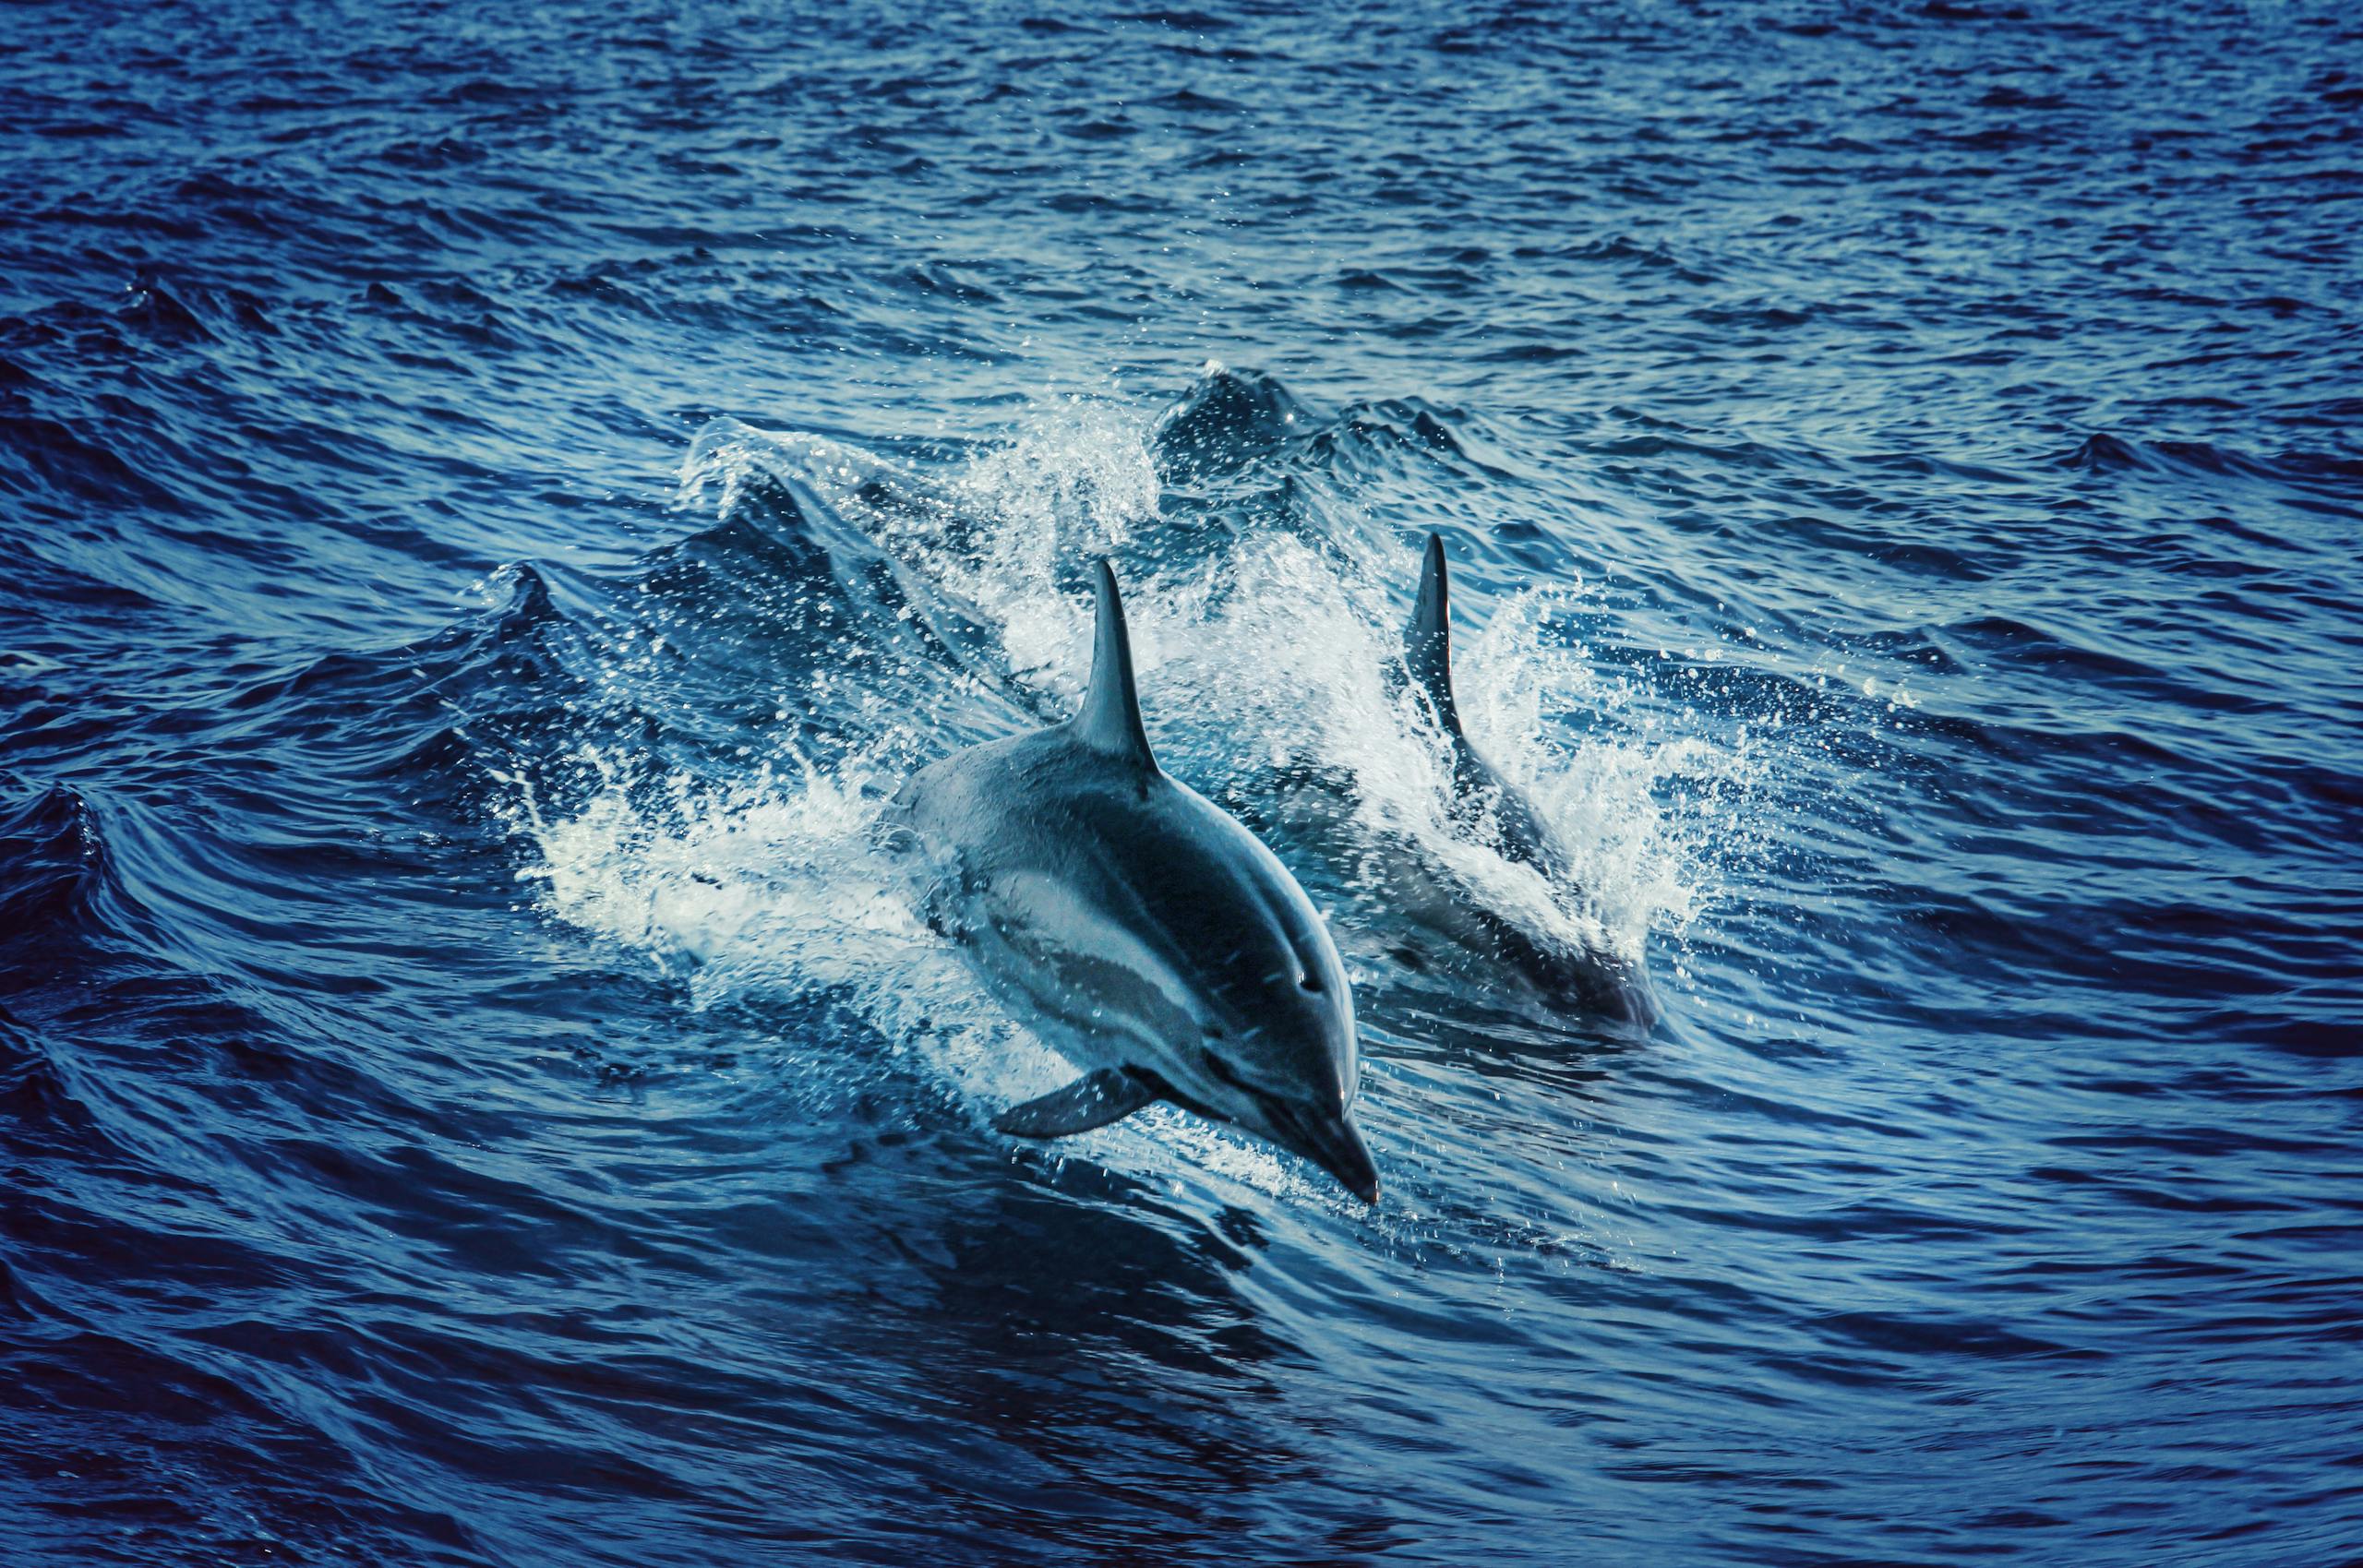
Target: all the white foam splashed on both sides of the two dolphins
{"points": [[1258, 655]]}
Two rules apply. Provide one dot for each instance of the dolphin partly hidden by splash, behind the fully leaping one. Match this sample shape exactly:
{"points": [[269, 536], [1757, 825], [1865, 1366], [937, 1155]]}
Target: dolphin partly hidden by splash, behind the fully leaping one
{"points": [[1502, 816]]}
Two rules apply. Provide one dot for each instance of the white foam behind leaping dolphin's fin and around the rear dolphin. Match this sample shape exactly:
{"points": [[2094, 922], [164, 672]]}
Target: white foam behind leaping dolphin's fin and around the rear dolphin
{"points": [[1275, 653]]}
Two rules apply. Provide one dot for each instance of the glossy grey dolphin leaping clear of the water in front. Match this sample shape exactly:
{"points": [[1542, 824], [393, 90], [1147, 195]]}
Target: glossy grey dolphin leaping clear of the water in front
{"points": [[1161, 946]]}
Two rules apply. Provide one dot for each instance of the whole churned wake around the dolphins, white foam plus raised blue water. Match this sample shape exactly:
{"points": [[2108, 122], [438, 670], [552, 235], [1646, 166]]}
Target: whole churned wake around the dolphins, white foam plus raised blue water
{"points": [[880, 613]]}
